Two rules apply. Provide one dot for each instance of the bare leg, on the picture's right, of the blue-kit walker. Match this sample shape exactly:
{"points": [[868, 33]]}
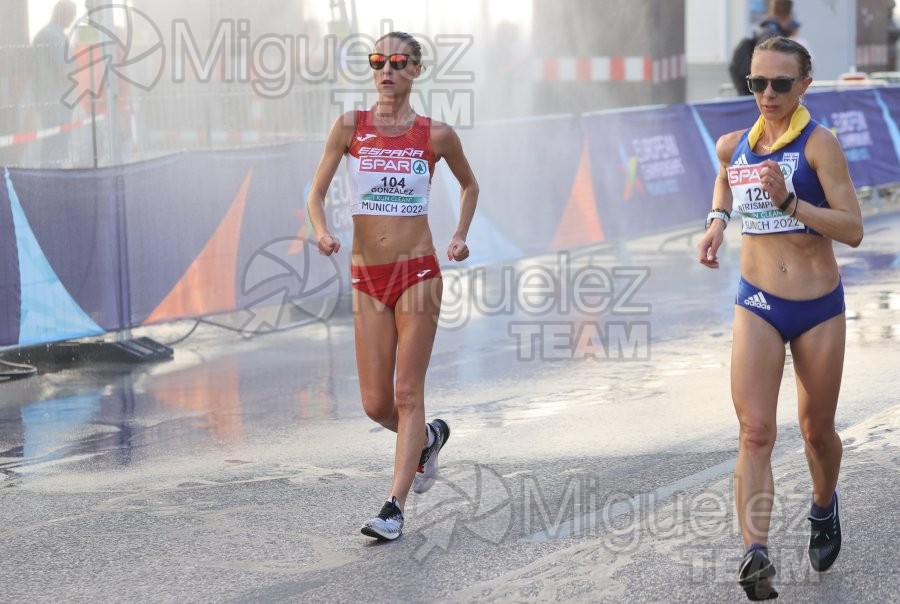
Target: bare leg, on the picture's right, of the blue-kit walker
{"points": [[818, 363]]}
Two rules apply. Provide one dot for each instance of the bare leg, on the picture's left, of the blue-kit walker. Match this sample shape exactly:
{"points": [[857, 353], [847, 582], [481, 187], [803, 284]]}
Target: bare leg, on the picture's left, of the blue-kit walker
{"points": [[757, 366]]}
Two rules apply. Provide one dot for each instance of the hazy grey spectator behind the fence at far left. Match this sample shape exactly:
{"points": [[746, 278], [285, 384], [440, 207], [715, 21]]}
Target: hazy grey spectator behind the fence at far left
{"points": [[50, 82]]}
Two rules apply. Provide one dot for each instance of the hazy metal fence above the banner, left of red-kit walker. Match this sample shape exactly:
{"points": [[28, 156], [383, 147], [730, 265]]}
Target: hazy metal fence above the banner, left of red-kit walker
{"points": [[126, 123]]}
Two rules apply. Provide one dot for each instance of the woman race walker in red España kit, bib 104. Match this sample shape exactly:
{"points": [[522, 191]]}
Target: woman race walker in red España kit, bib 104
{"points": [[391, 156]]}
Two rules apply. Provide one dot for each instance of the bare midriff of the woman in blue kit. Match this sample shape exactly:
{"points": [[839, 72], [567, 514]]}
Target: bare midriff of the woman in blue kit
{"points": [[809, 267]]}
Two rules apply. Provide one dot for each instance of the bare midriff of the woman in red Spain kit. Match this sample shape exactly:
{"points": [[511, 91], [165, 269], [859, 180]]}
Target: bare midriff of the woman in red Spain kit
{"points": [[386, 239]]}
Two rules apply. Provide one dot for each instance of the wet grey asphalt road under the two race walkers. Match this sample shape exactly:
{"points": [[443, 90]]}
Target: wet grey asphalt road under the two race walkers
{"points": [[589, 460]]}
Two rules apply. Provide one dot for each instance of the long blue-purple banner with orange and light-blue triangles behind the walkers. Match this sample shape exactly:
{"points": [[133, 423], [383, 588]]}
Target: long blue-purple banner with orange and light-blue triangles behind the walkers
{"points": [[85, 252]]}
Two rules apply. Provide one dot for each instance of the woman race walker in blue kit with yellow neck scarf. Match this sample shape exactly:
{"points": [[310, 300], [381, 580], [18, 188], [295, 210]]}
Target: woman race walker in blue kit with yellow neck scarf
{"points": [[788, 178]]}
